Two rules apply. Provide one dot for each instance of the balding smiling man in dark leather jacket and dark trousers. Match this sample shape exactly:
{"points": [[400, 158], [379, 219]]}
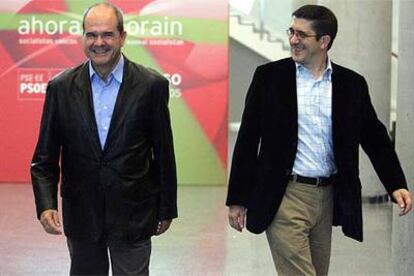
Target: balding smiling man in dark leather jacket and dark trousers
{"points": [[105, 134]]}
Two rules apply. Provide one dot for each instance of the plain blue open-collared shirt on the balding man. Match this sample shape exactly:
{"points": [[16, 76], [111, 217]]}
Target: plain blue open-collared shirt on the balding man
{"points": [[104, 97]]}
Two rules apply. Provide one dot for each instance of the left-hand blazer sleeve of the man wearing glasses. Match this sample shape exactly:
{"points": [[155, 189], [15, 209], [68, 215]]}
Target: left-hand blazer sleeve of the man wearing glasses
{"points": [[242, 173]]}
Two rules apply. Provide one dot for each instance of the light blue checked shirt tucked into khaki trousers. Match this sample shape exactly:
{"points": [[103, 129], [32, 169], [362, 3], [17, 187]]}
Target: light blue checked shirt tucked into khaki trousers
{"points": [[314, 156]]}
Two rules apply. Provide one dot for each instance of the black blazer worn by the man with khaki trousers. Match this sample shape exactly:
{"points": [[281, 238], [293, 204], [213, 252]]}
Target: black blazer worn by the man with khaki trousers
{"points": [[266, 146]]}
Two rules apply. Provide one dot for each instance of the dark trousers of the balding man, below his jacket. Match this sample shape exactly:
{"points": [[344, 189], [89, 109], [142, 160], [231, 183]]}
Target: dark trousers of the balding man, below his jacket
{"points": [[91, 258]]}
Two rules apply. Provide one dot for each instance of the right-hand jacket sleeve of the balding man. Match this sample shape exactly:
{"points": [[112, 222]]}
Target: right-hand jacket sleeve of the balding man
{"points": [[163, 148]]}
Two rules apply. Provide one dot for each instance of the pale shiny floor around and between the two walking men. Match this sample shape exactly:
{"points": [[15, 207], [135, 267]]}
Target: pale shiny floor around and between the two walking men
{"points": [[199, 242]]}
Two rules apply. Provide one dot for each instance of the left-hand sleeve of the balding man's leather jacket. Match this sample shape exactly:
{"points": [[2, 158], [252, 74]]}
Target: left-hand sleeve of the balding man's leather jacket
{"points": [[45, 169]]}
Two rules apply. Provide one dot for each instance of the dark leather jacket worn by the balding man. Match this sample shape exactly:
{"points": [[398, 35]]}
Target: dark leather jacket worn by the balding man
{"points": [[121, 191]]}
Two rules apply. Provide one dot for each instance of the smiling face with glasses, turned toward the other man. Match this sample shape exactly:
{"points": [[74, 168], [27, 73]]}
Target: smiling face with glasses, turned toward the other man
{"points": [[304, 46]]}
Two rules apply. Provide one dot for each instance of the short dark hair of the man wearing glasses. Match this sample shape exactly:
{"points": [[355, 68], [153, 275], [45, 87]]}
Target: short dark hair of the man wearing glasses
{"points": [[323, 20]]}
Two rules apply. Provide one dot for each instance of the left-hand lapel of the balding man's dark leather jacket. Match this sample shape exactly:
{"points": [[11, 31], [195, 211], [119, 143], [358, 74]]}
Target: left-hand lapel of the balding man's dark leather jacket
{"points": [[83, 95]]}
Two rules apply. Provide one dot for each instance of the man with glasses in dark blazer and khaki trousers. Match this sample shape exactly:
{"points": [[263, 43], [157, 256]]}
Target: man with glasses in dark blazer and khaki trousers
{"points": [[295, 169]]}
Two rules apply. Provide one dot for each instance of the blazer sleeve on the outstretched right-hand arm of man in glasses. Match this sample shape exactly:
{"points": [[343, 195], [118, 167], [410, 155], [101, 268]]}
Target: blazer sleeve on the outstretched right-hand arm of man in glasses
{"points": [[376, 143]]}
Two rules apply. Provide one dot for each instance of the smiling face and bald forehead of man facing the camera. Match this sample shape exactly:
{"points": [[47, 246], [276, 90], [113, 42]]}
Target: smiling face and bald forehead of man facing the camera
{"points": [[102, 41]]}
